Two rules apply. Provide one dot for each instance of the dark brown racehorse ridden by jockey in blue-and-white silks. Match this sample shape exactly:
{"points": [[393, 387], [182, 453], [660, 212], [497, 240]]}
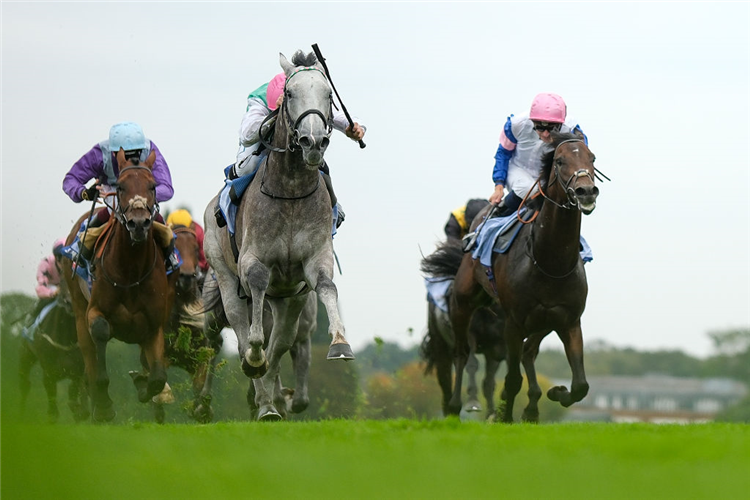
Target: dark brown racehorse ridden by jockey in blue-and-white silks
{"points": [[540, 283]]}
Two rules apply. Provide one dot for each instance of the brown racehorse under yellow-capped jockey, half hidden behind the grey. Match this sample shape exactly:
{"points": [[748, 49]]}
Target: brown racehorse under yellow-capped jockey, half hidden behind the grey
{"points": [[186, 346]]}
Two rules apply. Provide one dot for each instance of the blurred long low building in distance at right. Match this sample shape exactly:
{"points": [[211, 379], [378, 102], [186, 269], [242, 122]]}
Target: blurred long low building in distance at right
{"points": [[656, 398]]}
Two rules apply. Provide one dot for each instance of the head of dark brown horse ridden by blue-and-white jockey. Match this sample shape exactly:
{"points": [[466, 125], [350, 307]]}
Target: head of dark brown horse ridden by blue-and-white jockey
{"points": [[569, 170]]}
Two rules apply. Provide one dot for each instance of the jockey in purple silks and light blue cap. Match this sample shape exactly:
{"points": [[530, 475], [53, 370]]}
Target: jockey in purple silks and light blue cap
{"points": [[100, 164]]}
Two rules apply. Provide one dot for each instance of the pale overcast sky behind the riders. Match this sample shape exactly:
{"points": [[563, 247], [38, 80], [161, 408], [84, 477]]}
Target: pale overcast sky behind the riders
{"points": [[661, 89]]}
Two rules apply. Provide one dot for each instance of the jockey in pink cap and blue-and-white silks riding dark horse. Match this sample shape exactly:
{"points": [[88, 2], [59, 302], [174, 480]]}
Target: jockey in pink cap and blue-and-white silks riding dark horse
{"points": [[518, 158]]}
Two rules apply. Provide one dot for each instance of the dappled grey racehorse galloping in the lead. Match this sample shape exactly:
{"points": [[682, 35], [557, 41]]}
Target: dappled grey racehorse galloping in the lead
{"points": [[283, 236]]}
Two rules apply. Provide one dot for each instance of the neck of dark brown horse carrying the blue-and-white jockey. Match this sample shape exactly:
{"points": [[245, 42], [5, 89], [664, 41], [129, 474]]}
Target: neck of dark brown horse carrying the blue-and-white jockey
{"points": [[556, 235]]}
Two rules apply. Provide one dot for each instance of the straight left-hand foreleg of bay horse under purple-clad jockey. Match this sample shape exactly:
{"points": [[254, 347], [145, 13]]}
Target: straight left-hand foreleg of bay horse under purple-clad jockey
{"points": [[96, 366]]}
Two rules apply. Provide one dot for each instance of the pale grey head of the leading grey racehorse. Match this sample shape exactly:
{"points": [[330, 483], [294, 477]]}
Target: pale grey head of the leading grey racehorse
{"points": [[307, 107]]}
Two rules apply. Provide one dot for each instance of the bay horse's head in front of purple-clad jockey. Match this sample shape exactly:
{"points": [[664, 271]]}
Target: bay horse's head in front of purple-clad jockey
{"points": [[136, 196]]}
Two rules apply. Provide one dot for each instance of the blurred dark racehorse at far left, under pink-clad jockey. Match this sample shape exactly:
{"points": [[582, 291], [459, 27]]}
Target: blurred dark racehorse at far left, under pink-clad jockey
{"points": [[54, 346]]}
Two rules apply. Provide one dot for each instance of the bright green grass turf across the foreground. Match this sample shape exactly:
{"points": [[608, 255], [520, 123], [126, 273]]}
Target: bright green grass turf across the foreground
{"points": [[374, 459]]}
